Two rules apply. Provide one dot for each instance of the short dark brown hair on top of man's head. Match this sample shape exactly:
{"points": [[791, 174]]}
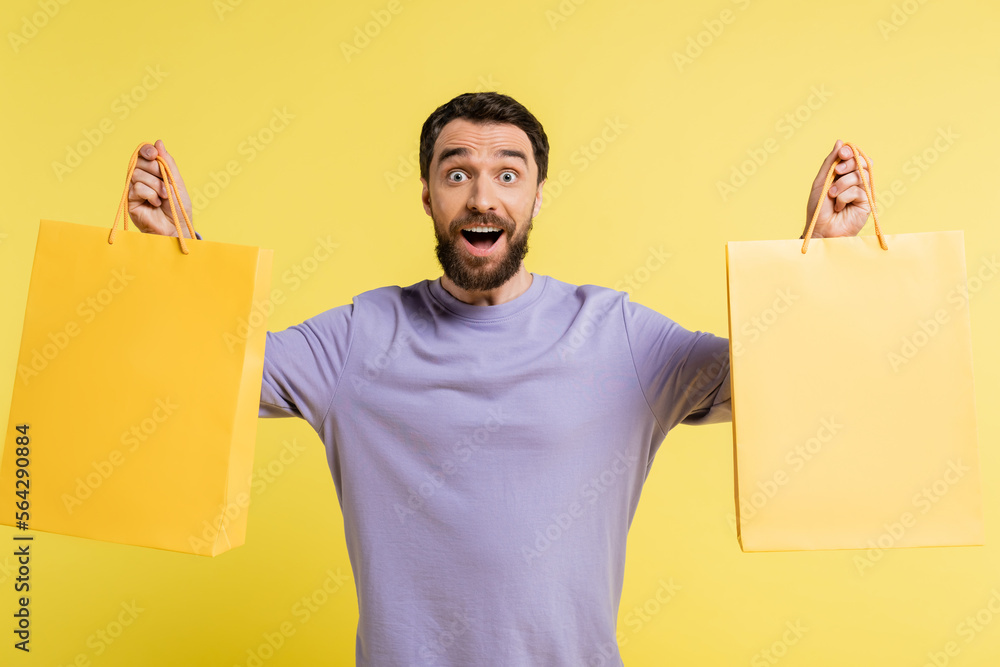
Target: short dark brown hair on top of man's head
{"points": [[484, 108]]}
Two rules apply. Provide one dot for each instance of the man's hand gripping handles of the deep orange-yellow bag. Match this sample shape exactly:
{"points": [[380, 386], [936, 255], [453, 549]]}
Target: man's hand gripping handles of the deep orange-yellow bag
{"points": [[147, 193]]}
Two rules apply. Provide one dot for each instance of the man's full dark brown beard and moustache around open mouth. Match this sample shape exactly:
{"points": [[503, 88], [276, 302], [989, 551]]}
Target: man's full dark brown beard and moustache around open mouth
{"points": [[481, 274]]}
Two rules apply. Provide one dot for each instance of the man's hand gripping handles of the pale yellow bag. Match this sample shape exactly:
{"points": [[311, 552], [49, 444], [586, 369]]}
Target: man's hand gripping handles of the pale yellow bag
{"points": [[845, 209]]}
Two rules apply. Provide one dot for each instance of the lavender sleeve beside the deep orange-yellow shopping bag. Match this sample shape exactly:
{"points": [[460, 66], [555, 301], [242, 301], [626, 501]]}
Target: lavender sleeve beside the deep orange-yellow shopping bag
{"points": [[303, 365]]}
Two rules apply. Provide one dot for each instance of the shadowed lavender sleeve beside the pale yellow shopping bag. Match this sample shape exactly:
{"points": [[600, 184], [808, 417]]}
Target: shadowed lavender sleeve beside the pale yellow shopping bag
{"points": [[684, 374]]}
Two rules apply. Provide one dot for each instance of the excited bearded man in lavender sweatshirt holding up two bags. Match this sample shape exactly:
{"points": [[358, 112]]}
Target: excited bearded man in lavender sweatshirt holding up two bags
{"points": [[489, 432]]}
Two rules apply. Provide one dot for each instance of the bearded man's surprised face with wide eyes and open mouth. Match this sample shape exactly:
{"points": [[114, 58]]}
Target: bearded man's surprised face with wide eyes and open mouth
{"points": [[482, 192]]}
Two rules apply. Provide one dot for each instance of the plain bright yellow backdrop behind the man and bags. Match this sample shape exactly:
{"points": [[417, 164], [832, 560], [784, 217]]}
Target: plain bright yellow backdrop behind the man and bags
{"points": [[582, 67]]}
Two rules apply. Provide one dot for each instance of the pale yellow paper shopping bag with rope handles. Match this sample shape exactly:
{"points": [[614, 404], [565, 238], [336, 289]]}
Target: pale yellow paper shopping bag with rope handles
{"points": [[854, 421]]}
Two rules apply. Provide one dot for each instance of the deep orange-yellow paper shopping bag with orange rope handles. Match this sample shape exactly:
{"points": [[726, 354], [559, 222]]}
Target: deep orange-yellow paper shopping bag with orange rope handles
{"points": [[134, 410]]}
